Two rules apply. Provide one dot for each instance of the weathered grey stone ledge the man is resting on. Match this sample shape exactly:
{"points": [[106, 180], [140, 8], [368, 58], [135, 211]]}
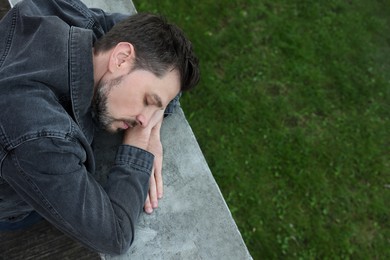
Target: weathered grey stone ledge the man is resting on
{"points": [[193, 220]]}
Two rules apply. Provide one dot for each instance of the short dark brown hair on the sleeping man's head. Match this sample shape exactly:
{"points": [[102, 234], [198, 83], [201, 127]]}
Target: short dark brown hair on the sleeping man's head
{"points": [[159, 47]]}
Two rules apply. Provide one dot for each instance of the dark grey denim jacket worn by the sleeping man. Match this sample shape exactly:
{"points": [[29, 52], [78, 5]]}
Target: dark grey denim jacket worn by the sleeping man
{"points": [[46, 128]]}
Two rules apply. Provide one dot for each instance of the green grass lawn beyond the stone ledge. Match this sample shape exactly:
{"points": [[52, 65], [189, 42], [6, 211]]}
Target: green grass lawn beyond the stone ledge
{"points": [[292, 114]]}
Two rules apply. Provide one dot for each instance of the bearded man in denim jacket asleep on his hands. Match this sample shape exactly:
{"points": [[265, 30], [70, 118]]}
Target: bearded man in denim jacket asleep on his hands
{"points": [[65, 69]]}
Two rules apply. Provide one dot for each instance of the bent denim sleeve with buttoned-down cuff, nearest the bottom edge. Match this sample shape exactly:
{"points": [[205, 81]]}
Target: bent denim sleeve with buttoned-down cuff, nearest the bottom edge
{"points": [[50, 174]]}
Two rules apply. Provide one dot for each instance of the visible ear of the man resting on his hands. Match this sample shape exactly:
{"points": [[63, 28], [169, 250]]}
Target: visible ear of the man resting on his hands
{"points": [[122, 58]]}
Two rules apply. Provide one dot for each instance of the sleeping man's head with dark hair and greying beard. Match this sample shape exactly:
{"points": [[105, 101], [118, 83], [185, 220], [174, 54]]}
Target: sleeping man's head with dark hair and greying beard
{"points": [[140, 65]]}
